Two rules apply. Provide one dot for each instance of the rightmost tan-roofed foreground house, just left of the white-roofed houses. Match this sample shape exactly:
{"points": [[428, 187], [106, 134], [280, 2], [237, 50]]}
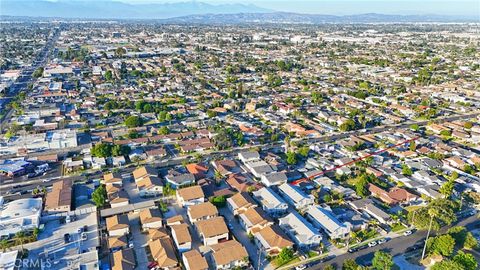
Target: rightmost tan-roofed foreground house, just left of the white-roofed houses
{"points": [[271, 240]]}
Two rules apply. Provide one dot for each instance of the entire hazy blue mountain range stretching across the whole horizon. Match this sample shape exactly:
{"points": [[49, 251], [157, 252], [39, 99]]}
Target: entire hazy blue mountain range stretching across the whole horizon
{"points": [[195, 12]]}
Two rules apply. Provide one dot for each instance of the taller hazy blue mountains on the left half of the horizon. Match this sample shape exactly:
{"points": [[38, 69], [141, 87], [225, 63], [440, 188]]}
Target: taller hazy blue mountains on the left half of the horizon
{"points": [[107, 9]]}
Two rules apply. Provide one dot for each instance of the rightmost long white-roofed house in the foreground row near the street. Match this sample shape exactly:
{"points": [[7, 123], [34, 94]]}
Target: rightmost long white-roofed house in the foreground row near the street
{"points": [[324, 219]]}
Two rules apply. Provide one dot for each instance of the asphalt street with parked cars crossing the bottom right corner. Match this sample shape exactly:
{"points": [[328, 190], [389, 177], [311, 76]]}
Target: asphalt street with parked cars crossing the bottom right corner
{"points": [[395, 247]]}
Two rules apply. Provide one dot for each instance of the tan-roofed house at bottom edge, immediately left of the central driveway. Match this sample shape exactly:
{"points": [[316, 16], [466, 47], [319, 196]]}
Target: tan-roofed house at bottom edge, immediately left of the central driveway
{"points": [[228, 255]]}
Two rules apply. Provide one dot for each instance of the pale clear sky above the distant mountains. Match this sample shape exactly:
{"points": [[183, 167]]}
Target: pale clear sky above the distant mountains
{"points": [[347, 7]]}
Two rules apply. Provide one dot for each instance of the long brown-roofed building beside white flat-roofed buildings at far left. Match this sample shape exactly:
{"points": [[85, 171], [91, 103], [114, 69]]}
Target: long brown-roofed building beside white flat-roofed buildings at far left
{"points": [[59, 199]]}
